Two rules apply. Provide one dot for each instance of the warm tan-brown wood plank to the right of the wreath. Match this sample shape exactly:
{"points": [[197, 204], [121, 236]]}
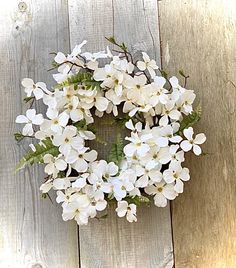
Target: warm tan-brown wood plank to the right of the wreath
{"points": [[198, 36]]}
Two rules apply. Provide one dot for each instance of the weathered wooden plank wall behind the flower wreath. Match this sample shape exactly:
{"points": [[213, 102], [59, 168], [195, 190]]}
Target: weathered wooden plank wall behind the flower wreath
{"points": [[199, 230]]}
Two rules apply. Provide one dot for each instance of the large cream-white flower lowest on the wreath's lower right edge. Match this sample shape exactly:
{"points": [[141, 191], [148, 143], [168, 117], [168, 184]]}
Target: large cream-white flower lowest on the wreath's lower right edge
{"points": [[162, 192]]}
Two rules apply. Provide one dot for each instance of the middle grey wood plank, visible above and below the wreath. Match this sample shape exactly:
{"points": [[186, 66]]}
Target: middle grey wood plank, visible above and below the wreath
{"points": [[114, 242]]}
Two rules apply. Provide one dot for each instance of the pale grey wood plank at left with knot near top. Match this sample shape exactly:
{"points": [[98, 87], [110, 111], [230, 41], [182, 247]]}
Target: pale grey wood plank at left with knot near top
{"points": [[32, 233]]}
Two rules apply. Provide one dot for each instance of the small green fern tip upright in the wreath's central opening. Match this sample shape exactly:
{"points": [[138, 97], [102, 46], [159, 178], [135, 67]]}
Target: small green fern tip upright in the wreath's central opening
{"points": [[116, 154]]}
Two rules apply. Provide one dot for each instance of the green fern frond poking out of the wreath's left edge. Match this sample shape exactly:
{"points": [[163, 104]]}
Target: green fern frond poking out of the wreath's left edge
{"points": [[31, 157]]}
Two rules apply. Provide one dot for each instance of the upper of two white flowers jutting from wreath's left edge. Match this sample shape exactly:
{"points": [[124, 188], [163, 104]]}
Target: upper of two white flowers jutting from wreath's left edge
{"points": [[37, 89]]}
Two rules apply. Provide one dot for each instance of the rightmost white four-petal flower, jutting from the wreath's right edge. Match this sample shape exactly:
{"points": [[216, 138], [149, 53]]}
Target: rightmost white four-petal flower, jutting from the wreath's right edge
{"points": [[191, 142]]}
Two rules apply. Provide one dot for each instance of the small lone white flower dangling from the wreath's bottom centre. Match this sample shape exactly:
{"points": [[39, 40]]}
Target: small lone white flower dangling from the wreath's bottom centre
{"points": [[126, 209]]}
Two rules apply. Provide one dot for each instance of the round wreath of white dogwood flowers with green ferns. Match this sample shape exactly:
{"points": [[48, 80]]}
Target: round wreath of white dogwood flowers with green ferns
{"points": [[143, 167]]}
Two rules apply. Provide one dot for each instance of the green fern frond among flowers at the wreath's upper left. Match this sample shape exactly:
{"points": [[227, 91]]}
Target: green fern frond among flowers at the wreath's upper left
{"points": [[83, 79]]}
